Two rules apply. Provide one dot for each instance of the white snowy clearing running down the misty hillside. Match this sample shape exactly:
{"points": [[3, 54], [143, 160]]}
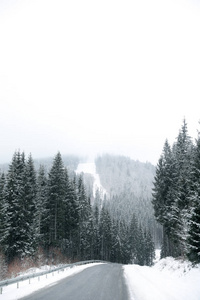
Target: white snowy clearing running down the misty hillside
{"points": [[90, 168]]}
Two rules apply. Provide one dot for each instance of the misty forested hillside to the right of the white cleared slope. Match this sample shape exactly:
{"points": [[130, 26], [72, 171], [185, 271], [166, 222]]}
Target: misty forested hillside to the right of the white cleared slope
{"points": [[129, 186]]}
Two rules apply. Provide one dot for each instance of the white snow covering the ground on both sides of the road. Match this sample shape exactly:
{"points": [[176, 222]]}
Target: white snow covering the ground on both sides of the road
{"points": [[168, 279]]}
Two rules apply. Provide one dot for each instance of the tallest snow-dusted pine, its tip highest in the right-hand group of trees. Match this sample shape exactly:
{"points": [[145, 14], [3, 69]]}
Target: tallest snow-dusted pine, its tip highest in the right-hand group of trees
{"points": [[183, 151]]}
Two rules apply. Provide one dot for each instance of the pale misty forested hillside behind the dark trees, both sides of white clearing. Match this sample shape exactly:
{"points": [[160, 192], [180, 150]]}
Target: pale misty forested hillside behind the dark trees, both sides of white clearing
{"points": [[128, 184]]}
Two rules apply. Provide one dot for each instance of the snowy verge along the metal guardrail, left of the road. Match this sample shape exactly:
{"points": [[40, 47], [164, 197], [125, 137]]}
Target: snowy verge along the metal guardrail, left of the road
{"points": [[11, 292]]}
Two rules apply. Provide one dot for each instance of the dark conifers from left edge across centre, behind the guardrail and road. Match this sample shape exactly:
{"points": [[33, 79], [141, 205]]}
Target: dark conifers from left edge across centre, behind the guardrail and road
{"points": [[52, 211]]}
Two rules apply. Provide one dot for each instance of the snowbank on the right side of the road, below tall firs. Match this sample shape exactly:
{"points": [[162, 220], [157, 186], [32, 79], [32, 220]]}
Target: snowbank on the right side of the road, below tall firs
{"points": [[168, 279]]}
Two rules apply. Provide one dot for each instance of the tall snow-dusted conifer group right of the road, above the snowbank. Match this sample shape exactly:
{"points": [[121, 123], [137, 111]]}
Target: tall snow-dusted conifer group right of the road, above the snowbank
{"points": [[176, 196]]}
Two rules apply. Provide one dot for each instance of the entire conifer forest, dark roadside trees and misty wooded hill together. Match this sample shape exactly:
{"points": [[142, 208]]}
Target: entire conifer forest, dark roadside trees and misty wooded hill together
{"points": [[50, 212]]}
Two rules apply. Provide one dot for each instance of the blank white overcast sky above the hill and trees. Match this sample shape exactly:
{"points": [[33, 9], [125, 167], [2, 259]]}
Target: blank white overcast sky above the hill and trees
{"points": [[91, 76]]}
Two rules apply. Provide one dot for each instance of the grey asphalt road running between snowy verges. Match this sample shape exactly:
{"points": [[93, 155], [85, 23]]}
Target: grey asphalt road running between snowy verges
{"points": [[101, 282]]}
